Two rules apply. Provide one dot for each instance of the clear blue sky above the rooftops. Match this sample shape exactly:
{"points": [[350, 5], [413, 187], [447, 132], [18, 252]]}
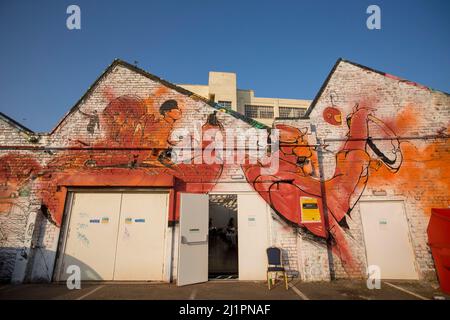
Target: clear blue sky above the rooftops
{"points": [[278, 48]]}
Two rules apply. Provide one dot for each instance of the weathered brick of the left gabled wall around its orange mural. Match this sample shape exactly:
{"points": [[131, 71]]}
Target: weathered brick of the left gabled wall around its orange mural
{"points": [[73, 132]]}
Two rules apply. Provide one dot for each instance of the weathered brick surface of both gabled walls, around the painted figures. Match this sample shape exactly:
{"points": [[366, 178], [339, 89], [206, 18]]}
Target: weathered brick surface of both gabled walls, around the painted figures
{"points": [[412, 111]]}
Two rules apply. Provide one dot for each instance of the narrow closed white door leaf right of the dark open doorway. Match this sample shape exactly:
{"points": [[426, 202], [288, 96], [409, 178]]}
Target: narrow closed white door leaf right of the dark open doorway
{"points": [[253, 237]]}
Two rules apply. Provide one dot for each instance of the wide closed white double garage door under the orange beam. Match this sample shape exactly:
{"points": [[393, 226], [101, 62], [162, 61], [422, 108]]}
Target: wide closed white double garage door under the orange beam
{"points": [[116, 236]]}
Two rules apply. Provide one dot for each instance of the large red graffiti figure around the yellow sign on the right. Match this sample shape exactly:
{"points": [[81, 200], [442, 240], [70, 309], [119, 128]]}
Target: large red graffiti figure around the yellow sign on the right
{"points": [[297, 177]]}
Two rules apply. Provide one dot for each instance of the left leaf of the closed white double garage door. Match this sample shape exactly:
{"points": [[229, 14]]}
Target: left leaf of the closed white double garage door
{"points": [[92, 235]]}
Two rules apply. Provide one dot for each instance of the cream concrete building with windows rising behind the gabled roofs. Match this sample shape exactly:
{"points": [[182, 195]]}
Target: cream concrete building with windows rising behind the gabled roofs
{"points": [[222, 89]]}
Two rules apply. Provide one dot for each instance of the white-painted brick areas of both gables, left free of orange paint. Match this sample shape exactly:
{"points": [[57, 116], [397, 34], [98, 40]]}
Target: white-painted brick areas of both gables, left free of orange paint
{"points": [[303, 253]]}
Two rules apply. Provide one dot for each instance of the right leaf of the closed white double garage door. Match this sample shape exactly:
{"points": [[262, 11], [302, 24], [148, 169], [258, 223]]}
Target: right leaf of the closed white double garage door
{"points": [[140, 244]]}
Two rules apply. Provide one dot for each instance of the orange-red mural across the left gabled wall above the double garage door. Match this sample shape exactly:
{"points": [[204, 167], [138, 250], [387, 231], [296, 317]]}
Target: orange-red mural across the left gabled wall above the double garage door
{"points": [[136, 152]]}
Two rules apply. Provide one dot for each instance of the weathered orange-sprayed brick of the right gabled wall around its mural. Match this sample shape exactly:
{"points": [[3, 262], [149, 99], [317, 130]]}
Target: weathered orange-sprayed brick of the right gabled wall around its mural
{"points": [[412, 112]]}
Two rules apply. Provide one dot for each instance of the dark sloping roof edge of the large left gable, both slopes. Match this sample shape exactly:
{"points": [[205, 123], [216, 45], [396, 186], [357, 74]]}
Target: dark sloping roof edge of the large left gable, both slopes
{"points": [[118, 62]]}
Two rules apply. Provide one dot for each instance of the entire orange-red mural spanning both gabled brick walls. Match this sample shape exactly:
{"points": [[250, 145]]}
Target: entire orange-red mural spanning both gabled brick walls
{"points": [[136, 149]]}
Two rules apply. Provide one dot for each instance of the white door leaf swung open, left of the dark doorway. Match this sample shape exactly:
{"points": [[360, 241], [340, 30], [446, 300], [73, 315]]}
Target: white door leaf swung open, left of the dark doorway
{"points": [[193, 239]]}
